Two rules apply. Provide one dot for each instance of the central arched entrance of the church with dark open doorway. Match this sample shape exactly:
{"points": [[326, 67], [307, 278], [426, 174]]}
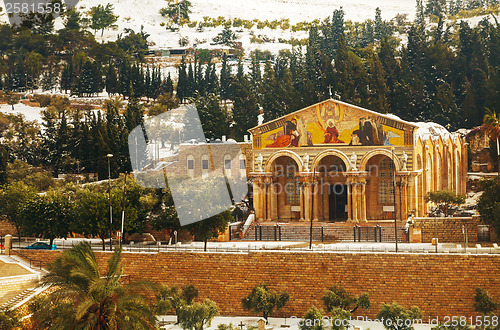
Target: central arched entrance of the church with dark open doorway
{"points": [[331, 193]]}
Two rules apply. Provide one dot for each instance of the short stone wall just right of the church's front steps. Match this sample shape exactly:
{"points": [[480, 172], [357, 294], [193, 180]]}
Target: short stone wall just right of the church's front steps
{"points": [[449, 230]]}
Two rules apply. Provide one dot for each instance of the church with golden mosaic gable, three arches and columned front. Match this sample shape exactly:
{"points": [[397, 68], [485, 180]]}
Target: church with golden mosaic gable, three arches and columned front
{"points": [[333, 161]]}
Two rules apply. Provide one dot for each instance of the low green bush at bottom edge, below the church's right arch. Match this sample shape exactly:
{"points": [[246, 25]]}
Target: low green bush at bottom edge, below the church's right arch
{"points": [[400, 318]]}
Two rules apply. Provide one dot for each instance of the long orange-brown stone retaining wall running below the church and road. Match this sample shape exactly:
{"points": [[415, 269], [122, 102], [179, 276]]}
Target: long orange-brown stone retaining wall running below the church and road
{"points": [[440, 285]]}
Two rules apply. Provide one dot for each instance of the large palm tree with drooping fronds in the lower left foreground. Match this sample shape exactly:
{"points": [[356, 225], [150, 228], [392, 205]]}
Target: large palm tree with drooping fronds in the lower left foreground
{"points": [[83, 299]]}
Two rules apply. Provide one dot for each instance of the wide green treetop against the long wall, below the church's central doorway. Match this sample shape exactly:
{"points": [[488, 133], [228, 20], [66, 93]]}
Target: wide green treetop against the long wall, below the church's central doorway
{"points": [[337, 297]]}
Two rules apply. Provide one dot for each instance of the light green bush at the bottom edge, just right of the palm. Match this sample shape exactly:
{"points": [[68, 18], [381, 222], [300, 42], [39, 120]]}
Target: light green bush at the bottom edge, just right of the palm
{"points": [[198, 315]]}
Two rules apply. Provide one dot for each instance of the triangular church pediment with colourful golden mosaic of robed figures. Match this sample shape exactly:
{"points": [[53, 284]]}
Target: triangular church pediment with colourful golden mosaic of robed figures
{"points": [[333, 122]]}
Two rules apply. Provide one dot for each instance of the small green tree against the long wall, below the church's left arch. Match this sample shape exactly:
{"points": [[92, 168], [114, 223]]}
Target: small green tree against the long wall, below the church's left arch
{"points": [[264, 300]]}
